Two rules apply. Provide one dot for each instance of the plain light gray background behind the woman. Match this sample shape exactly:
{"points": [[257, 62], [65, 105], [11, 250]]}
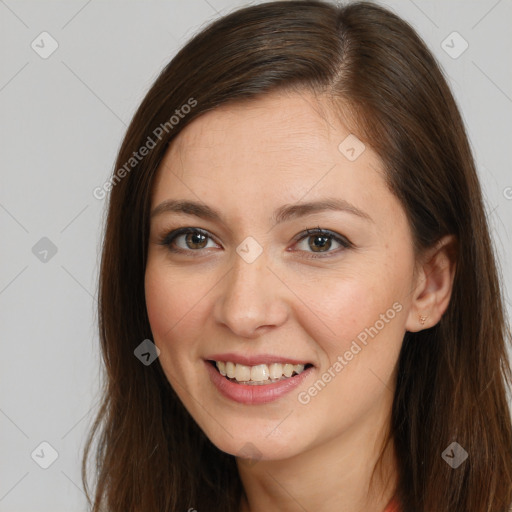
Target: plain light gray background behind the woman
{"points": [[62, 120]]}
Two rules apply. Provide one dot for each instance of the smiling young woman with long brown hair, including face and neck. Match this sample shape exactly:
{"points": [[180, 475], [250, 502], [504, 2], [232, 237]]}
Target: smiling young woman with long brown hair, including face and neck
{"points": [[296, 223]]}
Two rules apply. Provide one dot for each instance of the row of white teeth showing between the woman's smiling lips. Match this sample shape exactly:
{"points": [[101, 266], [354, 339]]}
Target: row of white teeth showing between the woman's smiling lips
{"points": [[260, 374]]}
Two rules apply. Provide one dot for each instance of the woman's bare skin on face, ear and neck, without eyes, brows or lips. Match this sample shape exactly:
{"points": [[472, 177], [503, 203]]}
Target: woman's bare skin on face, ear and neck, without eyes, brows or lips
{"points": [[246, 160]]}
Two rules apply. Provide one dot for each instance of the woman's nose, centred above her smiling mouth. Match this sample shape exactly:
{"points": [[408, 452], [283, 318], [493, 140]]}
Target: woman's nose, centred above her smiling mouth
{"points": [[251, 298]]}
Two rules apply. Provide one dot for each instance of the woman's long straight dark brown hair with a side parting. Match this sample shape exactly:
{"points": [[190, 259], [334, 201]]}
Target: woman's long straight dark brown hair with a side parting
{"points": [[452, 378]]}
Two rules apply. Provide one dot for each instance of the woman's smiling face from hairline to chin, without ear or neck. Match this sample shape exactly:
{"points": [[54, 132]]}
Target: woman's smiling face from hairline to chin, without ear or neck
{"points": [[267, 279]]}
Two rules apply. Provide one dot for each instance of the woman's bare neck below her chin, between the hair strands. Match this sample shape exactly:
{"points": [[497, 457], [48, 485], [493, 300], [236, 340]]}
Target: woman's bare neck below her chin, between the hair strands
{"points": [[334, 475]]}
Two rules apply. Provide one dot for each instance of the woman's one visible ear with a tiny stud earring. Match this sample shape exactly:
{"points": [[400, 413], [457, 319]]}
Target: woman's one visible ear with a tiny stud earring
{"points": [[433, 285]]}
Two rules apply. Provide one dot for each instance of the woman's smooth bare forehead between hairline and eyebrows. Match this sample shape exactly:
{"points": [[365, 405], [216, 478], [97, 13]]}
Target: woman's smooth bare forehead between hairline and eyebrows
{"points": [[265, 152]]}
